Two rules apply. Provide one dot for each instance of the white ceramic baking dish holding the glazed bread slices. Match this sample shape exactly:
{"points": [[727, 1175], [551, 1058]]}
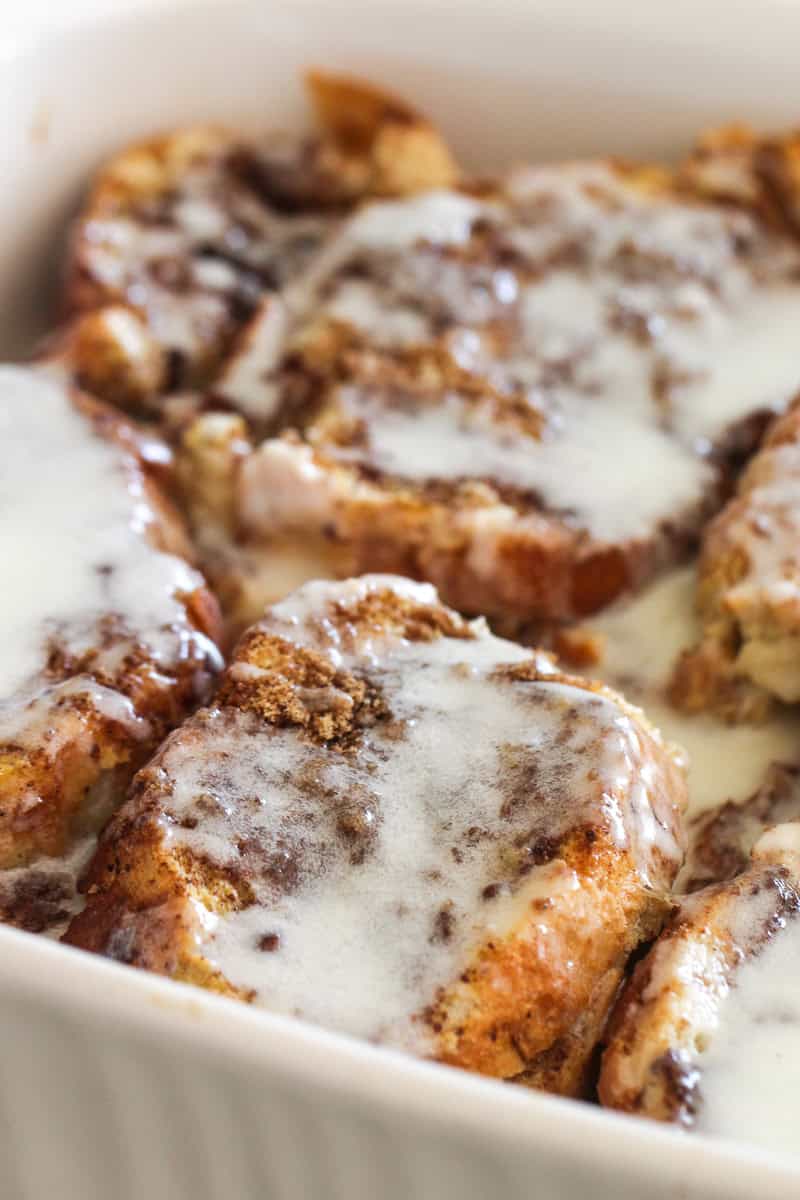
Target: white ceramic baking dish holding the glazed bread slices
{"points": [[115, 1084]]}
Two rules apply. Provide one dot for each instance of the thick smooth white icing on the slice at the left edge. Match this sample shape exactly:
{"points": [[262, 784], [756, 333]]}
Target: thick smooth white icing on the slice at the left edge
{"points": [[73, 539]]}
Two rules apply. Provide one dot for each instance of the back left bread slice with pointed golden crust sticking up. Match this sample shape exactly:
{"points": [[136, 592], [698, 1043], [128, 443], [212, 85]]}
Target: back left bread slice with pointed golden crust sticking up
{"points": [[187, 232]]}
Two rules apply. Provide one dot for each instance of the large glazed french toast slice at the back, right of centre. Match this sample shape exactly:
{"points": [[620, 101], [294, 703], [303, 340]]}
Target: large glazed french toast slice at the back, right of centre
{"points": [[532, 394]]}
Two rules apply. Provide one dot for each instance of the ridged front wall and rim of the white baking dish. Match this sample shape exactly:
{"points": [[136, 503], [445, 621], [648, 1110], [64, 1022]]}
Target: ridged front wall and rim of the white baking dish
{"points": [[116, 1085]]}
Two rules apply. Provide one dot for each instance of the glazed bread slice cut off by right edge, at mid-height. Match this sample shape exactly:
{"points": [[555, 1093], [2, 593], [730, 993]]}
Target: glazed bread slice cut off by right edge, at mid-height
{"points": [[749, 591]]}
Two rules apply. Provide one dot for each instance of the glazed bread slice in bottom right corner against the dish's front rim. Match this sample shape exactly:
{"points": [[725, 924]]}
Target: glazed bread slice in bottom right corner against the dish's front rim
{"points": [[672, 1027]]}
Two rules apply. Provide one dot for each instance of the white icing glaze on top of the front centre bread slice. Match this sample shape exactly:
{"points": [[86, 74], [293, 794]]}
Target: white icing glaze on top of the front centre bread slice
{"points": [[468, 769]]}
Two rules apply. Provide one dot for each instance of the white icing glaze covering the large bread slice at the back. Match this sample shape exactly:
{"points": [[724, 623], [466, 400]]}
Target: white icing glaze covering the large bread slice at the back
{"points": [[666, 327]]}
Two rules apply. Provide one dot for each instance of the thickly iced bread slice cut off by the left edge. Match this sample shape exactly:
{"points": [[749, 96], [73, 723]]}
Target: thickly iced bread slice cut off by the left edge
{"points": [[109, 633]]}
